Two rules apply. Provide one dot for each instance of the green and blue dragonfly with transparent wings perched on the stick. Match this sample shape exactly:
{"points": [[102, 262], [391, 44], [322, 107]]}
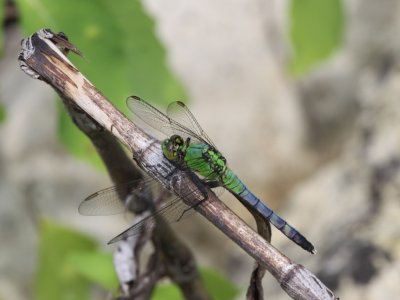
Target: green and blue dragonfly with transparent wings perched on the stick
{"points": [[189, 148]]}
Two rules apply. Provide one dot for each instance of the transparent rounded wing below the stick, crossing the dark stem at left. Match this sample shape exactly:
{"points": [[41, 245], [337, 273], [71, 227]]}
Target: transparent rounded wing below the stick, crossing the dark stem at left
{"points": [[108, 201]]}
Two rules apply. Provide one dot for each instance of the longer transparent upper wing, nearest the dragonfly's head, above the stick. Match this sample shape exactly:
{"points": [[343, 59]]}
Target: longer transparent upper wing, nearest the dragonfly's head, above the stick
{"points": [[160, 121]]}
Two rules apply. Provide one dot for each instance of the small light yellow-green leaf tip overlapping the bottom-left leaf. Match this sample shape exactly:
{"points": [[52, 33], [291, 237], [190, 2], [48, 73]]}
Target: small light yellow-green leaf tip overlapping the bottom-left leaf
{"points": [[97, 267]]}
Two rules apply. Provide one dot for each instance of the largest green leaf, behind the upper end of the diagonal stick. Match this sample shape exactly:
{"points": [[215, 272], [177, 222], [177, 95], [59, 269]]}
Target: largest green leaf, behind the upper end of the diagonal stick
{"points": [[123, 54]]}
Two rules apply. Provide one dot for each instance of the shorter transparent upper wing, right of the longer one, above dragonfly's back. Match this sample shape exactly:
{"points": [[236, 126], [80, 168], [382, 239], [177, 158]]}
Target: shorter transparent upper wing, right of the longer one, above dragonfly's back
{"points": [[181, 114]]}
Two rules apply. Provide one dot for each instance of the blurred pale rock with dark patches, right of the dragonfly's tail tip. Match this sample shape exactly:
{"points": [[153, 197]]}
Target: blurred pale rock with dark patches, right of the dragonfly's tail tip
{"points": [[352, 204]]}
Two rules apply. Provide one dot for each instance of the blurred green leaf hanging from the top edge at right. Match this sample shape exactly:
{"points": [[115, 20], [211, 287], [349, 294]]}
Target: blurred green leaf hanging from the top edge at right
{"points": [[316, 30]]}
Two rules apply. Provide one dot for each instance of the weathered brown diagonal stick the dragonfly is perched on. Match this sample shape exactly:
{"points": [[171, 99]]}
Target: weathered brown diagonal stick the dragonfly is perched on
{"points": [[42, 58]]}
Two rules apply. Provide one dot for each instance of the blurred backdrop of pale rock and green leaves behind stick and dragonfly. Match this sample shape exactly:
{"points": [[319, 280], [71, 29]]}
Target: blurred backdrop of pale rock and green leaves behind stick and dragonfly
{"points": [[301, 96]]}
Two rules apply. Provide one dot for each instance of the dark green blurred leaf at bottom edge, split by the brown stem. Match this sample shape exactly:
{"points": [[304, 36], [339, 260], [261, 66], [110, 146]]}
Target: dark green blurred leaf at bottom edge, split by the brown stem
{"points": [[218, 286]]}
